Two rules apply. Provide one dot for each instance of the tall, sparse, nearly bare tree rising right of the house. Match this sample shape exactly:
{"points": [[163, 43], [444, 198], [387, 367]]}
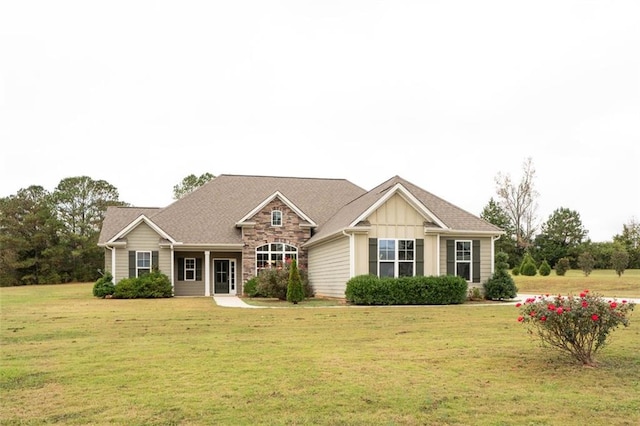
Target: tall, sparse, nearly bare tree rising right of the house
{"points": [[519, 202]]}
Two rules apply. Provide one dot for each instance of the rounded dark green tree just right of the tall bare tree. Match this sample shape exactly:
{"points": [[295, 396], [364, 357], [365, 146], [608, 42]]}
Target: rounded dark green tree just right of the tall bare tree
{"points": [[561, 236]]}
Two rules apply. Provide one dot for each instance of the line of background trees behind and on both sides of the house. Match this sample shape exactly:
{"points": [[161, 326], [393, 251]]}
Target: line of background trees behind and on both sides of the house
{"points": [[51, 237]]}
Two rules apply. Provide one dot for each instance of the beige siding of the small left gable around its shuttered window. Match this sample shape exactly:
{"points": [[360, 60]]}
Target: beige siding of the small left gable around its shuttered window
{"points": [[141, 238]]}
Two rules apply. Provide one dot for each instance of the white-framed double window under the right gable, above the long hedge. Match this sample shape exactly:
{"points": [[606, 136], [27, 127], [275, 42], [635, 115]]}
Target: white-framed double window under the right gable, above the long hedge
{"points": [[396, 258]]}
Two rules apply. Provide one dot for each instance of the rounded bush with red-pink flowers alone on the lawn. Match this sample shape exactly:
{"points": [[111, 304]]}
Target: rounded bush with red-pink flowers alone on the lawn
{"points": [[578, 326]]}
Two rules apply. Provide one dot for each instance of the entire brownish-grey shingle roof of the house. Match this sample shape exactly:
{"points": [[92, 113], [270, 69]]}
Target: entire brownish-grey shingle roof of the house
{"points": [[209, 214]]}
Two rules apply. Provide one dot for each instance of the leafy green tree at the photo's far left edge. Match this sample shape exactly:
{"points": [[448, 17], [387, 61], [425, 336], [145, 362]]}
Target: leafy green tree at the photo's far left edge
{"points": [[29, 231]]}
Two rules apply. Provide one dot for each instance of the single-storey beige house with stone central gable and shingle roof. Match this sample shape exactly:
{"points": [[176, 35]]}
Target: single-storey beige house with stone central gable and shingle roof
{"points": [[216, 238]]}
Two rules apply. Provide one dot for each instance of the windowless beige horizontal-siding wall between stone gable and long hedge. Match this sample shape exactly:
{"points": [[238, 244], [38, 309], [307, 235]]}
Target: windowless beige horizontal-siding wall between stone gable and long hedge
{"points": [[329, 267]]}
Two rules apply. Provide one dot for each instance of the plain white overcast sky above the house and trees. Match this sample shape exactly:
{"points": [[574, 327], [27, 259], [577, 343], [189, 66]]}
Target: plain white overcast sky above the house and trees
{"points": [[446, 94]]}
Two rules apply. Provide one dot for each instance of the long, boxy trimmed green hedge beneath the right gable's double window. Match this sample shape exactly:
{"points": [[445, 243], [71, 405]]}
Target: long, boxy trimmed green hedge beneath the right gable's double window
{"points": [[419, 290]]}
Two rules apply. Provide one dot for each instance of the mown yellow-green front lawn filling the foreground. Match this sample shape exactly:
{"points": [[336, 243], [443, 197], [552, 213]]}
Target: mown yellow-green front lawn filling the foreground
{"points": [[69, 358]]}
